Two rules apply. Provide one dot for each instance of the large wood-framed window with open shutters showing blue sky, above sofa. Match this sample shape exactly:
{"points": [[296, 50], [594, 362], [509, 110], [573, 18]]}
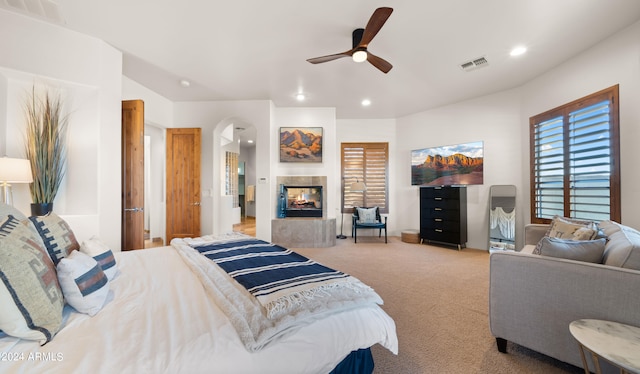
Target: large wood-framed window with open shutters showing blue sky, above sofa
{"points": [[575, 160]]}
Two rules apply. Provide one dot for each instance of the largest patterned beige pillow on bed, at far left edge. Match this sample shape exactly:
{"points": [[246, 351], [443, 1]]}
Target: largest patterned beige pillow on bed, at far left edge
{"points": [[31, 300]]}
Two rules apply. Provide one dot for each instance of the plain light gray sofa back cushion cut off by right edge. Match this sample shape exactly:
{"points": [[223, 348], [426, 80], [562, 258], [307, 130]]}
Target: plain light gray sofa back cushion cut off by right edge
{"points": [[623, 246]]}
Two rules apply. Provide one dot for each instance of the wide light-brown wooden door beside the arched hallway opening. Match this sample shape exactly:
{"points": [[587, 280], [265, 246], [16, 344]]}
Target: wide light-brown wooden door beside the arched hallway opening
{"points": [[183, 183]]}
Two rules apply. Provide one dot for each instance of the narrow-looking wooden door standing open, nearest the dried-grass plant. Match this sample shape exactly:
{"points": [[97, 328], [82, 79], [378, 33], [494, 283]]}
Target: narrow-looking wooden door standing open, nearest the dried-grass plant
{"points": [[132, 174]]}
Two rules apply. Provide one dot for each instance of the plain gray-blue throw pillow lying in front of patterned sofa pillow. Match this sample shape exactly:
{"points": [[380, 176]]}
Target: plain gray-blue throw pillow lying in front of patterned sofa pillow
{"points": [[579, 250]]}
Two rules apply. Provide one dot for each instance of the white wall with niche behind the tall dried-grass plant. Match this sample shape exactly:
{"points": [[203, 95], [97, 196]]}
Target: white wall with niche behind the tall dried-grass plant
{"points": [[87, 71]]}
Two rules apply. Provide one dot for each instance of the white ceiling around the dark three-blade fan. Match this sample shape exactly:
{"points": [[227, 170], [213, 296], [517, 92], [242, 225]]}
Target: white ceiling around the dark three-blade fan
{"points": [[257, 49]]}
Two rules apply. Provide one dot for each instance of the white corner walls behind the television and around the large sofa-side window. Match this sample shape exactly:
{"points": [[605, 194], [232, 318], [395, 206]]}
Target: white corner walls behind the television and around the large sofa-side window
{"points": [[502, 122]]}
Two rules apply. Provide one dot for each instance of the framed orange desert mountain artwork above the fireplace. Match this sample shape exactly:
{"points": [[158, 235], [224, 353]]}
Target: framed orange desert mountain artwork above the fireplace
{"points": [[301, 144]]}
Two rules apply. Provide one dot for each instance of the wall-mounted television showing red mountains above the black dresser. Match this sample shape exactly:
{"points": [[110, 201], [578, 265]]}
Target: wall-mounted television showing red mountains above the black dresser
{"points": [[459, 164]]}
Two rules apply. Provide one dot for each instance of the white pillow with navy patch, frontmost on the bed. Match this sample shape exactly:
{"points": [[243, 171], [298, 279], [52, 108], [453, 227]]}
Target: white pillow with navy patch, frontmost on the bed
{"points": [[84, 284]]}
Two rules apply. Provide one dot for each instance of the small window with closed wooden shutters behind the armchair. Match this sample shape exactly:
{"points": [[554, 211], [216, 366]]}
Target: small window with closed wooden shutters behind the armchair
{"points": [[367, 163]]}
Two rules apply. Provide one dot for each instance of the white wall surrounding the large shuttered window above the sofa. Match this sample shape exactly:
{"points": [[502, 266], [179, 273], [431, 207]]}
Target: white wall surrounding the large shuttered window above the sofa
{"points": [[613, 61]]}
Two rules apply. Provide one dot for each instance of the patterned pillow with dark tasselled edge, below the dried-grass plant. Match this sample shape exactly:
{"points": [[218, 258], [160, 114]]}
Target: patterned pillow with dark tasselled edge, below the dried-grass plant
{"points": [[57, 236]]}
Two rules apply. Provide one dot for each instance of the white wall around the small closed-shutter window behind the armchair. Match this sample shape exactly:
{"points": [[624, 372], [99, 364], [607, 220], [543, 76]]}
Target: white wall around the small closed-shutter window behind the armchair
{"points": [[380, 130]]}
